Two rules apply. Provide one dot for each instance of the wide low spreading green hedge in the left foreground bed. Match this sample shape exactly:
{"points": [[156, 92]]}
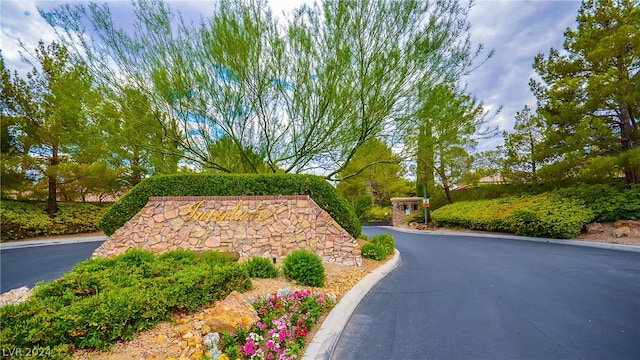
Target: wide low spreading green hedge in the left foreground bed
{"points": [[104, 300]]}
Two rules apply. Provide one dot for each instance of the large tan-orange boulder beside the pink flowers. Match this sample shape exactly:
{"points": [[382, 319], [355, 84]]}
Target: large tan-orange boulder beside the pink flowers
{"points": [[231, 312]]}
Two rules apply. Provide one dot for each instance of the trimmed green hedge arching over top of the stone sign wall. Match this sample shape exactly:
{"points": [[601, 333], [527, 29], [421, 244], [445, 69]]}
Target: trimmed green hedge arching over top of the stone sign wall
{"points": [[320, 191]]}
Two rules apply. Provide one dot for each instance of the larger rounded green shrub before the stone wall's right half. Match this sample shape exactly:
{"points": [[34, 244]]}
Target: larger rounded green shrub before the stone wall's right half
{"points": [[305, 267]]}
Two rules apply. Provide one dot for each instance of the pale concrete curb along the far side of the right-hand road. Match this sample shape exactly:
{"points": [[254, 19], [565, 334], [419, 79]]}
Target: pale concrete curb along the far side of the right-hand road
{"points": [[629, 248]]}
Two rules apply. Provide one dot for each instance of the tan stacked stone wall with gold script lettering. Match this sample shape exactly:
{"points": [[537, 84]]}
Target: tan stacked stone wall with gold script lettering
{"points": [[269, 226]]}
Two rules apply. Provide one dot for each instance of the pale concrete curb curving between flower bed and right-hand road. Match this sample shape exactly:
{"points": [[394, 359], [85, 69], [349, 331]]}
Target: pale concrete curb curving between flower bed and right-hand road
{"points": [[325, 340]]}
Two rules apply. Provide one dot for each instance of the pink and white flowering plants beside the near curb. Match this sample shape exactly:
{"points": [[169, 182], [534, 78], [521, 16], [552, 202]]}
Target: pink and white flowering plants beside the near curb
{"points": [[286, 318]]}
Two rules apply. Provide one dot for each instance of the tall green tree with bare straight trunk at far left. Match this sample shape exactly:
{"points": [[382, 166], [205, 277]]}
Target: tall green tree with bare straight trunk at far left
{"points": [[52, 105]]}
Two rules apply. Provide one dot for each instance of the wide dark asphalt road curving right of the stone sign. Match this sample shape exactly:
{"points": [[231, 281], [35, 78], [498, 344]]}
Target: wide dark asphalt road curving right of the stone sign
{"points": [[456, 297]]}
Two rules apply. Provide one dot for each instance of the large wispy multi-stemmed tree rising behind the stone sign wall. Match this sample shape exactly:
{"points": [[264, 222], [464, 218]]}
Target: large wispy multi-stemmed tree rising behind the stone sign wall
{"points": [[298, 95]]}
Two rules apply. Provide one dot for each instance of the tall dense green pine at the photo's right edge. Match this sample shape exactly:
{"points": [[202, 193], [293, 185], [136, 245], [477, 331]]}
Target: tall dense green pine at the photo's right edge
{"points": [[589, 96]]}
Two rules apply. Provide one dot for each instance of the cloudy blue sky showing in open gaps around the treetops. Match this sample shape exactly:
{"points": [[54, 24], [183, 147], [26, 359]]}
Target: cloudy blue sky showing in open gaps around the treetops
{"points": [[516, 30]]}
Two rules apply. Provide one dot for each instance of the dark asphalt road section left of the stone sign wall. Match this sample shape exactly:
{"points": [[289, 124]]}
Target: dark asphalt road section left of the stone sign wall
{"points": [[27, 266]]}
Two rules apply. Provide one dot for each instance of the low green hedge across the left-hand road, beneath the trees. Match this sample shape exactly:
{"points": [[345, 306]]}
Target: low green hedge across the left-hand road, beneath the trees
{"points": [[20, 220]]}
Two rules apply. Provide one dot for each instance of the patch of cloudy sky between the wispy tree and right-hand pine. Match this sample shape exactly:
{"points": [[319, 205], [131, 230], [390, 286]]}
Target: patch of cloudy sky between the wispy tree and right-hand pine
{"points": [[517, 31]]}
